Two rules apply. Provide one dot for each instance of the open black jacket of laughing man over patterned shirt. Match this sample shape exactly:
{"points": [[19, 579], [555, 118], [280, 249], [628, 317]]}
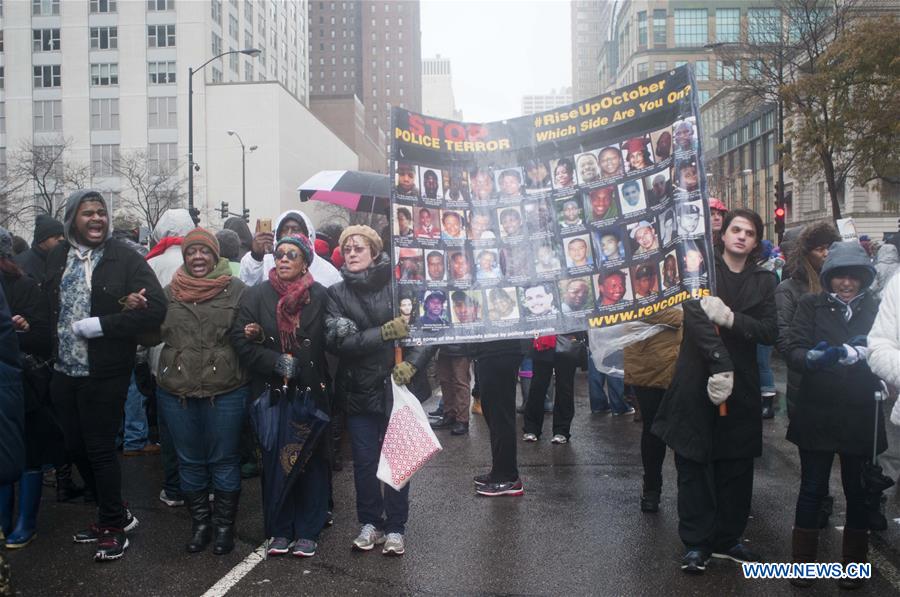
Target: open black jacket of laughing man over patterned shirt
{"points": [[120, 272]]}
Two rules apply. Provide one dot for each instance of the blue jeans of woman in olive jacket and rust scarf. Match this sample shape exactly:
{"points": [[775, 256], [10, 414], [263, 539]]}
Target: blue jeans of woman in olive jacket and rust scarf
{"points": [[206, 433]]}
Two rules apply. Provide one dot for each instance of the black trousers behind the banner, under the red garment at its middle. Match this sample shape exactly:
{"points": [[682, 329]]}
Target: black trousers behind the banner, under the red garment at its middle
{"points": [[563, 402]]}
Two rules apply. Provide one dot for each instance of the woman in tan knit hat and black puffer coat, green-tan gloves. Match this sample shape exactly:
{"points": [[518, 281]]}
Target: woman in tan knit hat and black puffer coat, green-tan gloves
{"points": [[360, 329]]}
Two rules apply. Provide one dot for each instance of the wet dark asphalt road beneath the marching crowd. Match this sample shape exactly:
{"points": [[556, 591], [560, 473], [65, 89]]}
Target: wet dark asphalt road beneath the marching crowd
{"points": [[578, 530]]}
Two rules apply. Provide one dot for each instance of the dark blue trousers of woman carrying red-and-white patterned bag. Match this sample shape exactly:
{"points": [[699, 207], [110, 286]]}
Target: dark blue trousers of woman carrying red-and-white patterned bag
{"points": [[388, 510]]}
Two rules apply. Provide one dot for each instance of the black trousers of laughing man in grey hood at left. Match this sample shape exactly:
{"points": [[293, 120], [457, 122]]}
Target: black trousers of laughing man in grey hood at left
{"points": [[91, 411]]}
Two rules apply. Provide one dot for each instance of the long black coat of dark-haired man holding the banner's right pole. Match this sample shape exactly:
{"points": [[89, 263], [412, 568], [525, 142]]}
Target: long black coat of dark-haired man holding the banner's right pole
{"points": [[687, 420]]}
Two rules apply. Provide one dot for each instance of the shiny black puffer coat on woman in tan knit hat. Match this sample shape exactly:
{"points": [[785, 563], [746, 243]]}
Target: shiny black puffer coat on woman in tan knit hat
{"points": [[362, 382]]}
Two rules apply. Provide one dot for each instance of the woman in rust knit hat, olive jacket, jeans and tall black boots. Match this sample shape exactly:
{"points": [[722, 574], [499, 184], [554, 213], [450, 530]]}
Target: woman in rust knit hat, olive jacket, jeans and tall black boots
{"points": [[202, 389]]}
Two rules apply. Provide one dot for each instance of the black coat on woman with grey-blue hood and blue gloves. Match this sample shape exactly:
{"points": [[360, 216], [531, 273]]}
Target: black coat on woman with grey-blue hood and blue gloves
{"points": [[835, 408]]}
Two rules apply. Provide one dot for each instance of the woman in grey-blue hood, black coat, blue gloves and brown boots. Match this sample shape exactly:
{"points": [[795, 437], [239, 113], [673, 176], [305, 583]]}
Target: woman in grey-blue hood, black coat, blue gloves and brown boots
{"points": [[835, 403]]}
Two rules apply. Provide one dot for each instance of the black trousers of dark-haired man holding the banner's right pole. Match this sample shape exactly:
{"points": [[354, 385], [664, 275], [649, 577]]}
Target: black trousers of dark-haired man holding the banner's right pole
{"points": [[713, 502]]}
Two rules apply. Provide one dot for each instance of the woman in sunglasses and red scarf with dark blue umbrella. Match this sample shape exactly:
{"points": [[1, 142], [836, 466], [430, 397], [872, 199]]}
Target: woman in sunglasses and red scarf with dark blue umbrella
{"points": [[280, 337]]}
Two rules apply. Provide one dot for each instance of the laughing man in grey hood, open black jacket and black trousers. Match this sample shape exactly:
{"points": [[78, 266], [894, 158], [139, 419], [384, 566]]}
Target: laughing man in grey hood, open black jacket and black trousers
{"points": [[102, 297]]}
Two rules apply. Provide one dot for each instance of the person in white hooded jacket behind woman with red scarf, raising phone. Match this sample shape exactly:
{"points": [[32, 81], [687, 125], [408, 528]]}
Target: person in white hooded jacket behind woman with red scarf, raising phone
{"points": [[256, 265]]}
